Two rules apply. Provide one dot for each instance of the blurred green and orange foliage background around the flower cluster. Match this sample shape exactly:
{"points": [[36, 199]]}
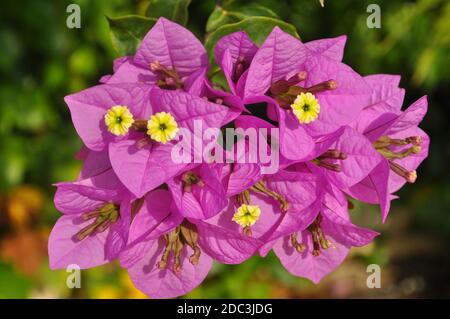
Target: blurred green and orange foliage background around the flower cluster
{"points": [[41, 61]]}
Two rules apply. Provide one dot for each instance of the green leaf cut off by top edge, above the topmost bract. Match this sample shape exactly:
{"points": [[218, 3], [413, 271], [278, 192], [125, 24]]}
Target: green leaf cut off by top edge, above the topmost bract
{"points": [[175, 10]]}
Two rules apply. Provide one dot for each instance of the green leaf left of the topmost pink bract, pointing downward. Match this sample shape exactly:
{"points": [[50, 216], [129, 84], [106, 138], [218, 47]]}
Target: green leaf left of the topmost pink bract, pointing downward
{"points": [[128, 31]]}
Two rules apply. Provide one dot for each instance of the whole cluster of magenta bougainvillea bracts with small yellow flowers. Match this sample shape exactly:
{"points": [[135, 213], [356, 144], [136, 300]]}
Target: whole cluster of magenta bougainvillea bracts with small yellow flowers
{"points": [[341, 136]]}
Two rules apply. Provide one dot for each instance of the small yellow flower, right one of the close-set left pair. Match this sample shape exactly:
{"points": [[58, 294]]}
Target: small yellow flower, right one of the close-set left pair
{"points": [[162, 127]]}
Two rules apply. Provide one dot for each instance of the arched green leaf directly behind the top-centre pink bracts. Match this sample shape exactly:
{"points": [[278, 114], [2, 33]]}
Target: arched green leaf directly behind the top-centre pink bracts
{"points": [[258, 28]]}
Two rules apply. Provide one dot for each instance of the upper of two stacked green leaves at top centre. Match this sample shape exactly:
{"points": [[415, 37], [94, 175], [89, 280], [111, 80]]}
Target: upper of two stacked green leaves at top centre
{"points": [[232, 14]]}
